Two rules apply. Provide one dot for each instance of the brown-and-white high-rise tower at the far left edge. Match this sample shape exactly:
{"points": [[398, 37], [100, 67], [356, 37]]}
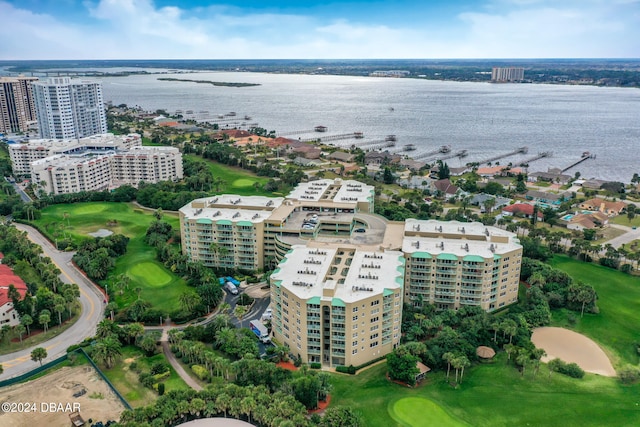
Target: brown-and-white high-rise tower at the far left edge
{"points": [[17, 111]]}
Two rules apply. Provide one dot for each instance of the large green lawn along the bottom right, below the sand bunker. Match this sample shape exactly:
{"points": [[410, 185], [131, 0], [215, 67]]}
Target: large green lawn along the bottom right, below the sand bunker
{"points": [[490, 395]]}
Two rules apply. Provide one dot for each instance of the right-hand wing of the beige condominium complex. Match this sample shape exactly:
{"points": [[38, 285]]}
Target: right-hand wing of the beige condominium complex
{"points": [[453, 264]]}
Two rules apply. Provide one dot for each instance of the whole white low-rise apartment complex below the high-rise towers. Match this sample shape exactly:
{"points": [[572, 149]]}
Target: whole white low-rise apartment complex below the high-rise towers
{"points": [[96, 163]]}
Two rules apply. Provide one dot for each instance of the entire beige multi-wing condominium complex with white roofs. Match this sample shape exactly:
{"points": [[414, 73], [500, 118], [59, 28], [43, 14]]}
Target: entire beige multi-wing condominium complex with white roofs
{"points": [[343, 272]]}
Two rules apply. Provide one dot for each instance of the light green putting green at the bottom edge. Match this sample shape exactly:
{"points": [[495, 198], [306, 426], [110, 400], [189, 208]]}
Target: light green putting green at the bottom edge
{"points": [[421, 412]]}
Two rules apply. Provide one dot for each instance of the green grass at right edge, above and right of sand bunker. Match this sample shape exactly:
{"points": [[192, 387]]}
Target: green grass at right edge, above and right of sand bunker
{"points": [[615, 328]]}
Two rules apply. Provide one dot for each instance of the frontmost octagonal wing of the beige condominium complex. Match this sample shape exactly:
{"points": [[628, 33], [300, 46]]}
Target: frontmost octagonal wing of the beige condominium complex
{"points": [[338, 305]]}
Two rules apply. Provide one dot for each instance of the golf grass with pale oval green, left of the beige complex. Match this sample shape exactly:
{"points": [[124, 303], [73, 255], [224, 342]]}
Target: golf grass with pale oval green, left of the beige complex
{"points": [[158, 285]]}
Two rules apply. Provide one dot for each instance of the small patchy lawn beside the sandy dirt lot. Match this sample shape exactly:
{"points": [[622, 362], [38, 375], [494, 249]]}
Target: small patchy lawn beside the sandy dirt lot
{"points": [[126, 381]]}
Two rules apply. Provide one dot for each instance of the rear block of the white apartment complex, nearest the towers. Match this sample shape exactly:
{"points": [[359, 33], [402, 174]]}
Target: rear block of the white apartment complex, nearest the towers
{"points": [[22, 155]]}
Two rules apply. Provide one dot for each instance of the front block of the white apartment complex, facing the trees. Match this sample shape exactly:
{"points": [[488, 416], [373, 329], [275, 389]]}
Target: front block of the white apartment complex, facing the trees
{"points": [[65, 173]]}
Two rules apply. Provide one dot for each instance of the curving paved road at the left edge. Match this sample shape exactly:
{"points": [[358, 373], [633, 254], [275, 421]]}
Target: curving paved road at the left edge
{"points": [[91, 300]]}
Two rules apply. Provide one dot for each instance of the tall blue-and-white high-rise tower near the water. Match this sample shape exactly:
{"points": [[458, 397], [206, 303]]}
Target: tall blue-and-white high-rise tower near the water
{"points": [[68, 109]]}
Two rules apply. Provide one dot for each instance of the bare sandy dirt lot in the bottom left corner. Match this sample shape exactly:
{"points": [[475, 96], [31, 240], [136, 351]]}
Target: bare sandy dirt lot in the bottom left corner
{"points": [[98, 402]]}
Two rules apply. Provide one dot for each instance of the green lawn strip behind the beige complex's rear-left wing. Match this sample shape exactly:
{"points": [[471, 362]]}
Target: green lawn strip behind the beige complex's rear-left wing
{"points": [[236, 180]]}
